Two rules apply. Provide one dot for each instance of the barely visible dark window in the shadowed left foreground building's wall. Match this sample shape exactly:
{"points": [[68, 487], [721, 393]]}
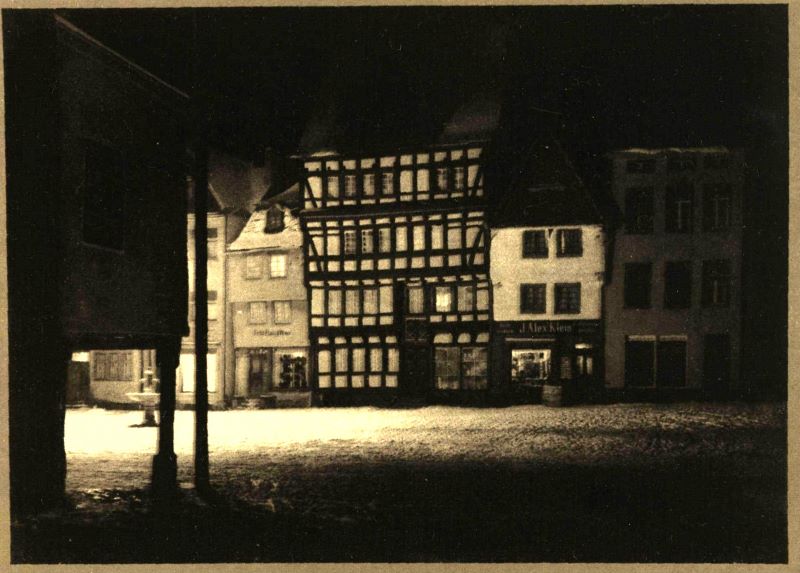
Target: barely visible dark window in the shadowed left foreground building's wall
{"points": [[103, 197]]}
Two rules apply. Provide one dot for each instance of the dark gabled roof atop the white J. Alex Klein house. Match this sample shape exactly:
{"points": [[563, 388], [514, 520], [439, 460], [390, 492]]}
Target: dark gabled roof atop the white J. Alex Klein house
{"points": [[544, 189]]}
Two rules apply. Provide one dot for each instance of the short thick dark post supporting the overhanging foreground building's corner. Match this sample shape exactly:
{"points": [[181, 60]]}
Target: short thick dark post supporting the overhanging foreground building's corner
{"points": [[165, 463]]}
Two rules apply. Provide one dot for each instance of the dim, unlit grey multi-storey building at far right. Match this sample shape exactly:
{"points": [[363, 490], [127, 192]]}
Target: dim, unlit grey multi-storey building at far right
{"points": [[673, 305]]}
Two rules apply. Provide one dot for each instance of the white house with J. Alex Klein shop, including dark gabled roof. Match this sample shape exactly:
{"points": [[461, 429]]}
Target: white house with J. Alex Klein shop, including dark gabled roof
{"points": [[548, 253]]}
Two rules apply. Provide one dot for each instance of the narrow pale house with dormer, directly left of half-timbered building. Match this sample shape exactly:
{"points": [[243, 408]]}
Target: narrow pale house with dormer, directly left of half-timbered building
{"points": [[267, 305]]}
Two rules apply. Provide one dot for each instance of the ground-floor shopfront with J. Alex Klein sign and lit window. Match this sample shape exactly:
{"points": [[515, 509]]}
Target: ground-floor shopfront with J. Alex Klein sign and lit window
{"points": [[529, 354]]}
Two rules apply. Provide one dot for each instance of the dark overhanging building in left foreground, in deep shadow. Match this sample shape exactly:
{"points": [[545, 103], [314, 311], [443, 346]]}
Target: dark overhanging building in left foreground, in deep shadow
{"points": [[96, 231]]}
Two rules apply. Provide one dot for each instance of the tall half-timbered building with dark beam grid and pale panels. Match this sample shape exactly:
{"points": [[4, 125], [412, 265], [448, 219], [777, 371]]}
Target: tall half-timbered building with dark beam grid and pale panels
{"points": [[396, 252]]}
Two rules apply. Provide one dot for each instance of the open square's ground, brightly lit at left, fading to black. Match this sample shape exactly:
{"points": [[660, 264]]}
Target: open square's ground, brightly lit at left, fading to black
{"points": [[684, 482]]}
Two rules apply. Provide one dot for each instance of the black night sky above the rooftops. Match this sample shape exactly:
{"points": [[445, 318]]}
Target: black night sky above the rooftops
{"points": [[620, 76]]}
